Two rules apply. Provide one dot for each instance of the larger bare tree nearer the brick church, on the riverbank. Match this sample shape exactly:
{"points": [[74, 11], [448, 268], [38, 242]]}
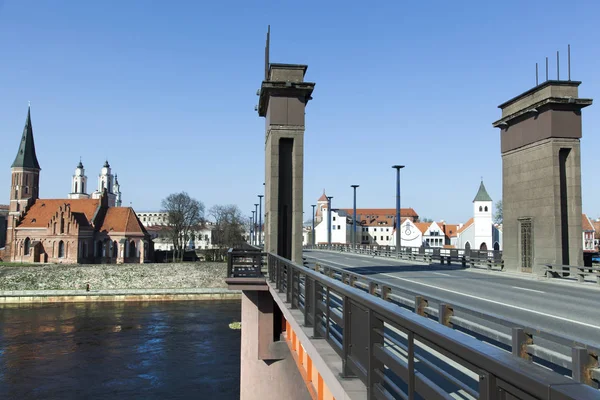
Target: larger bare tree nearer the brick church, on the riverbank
{"points": [[184, 213]]}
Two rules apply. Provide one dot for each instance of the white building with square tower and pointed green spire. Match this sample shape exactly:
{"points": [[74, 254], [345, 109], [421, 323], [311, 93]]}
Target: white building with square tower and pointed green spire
{"points": [[480, 233]]}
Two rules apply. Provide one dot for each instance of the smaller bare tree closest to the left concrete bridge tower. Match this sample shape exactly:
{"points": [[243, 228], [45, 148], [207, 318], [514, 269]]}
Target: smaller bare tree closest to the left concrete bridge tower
{"points": [[230, 226]]}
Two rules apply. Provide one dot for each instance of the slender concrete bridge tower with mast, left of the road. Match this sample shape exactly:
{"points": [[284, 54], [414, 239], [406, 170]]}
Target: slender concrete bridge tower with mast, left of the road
{"points": [[283, 98]]}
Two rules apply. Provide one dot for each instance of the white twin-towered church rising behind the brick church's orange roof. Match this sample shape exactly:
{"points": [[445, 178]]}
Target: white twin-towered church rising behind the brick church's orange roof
{"points": [[79, 185]]}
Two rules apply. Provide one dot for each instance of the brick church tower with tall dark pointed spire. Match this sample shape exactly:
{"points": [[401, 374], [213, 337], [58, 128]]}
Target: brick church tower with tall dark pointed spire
{"points": [[24, 190]]}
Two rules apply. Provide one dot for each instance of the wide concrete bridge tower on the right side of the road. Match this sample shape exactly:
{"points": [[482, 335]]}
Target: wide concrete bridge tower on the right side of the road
{"points": [[541, 176]]}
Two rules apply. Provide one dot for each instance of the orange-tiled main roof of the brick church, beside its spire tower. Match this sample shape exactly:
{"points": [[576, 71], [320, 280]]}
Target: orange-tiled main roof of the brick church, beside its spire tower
{"points": [[43, 210]]}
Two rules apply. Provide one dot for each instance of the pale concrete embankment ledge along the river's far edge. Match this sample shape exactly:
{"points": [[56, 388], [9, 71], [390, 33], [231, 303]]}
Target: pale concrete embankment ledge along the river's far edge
{"points": [[81, 296]]}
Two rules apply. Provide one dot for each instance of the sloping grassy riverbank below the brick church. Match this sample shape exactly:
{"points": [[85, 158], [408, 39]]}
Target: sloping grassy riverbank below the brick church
{"points": [[108, 276]]}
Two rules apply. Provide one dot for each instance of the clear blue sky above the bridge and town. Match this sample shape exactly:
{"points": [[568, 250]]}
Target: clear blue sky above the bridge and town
{"points": [[166, 91]]}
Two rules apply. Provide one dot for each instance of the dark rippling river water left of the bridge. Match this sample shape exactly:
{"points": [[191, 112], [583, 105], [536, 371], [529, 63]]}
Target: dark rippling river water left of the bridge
{"points": [[151, 350]]}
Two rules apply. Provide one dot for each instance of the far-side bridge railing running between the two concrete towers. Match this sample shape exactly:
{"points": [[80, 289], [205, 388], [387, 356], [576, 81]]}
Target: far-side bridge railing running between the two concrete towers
{"points": [[488, 259]]}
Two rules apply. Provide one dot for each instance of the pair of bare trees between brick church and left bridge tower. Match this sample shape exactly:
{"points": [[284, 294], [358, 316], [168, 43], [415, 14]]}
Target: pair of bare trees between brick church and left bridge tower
{"points": [[186, 216]]}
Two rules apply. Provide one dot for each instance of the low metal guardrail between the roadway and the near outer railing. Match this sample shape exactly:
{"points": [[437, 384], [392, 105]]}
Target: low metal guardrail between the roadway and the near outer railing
{"points": [[558, 352]]}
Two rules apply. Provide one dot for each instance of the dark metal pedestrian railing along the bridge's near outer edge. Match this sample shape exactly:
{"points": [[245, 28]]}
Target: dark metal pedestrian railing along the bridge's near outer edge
{"points": [[399, 354]]}
